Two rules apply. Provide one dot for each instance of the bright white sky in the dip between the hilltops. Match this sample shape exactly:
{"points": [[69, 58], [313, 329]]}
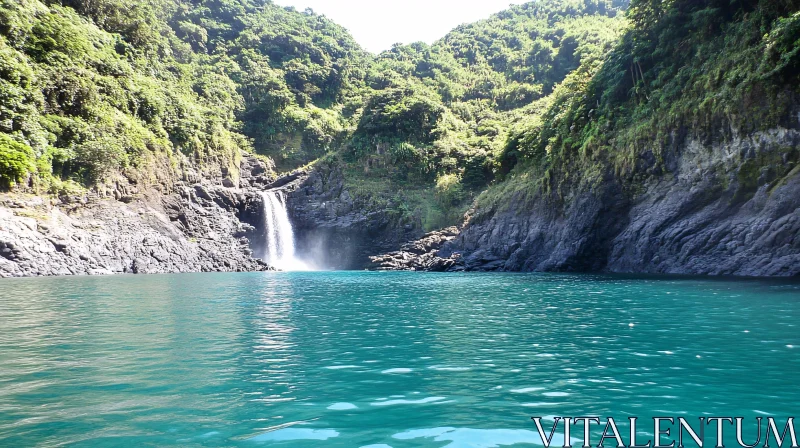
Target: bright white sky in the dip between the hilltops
{"points": [[378, 24]]}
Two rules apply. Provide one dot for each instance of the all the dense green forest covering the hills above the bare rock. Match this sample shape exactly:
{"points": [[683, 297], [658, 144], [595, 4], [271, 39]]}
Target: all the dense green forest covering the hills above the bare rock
{"points": [[95, 92]]}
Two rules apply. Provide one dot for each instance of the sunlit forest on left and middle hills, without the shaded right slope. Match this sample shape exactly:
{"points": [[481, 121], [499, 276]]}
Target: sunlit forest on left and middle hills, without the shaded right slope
{"points": [[95, 94]]}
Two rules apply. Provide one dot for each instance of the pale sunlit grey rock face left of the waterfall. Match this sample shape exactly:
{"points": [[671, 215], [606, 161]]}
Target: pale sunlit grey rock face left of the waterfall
{"points": [[198, 228]]}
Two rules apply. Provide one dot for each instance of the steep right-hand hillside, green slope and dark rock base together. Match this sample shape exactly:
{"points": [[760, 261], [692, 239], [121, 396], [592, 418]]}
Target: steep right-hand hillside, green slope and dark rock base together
{"points": [[678, 154]]}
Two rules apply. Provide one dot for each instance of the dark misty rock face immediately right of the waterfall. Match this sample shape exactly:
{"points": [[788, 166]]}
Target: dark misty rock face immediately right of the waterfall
{"points": [[335, 230]]}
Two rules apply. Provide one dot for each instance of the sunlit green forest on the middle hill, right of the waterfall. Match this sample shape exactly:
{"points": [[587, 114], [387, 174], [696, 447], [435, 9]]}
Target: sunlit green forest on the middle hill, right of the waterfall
{"points": [[437, 117]]}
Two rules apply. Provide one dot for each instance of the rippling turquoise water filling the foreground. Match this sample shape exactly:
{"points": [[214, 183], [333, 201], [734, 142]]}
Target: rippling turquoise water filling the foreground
{"points": [[352, 359]]}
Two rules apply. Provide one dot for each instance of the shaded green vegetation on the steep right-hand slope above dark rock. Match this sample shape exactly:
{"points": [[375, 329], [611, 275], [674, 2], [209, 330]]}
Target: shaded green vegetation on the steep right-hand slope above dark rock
{"points": [[705, 70]]}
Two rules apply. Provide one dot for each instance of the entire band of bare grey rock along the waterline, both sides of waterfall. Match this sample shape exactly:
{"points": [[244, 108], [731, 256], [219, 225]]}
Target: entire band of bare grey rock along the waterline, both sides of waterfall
{"points": [[727, 209]]}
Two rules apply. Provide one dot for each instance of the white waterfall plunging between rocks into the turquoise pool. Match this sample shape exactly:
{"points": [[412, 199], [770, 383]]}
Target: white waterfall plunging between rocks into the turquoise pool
{"points": [[279, 238]]}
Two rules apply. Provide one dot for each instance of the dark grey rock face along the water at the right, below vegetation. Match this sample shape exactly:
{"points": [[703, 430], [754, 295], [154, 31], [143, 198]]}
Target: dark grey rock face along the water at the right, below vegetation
{"points": [[712, 213]]}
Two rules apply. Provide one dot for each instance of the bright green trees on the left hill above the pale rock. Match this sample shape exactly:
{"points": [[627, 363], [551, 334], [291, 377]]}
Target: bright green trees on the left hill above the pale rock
{"points": [[102, 87]]}
